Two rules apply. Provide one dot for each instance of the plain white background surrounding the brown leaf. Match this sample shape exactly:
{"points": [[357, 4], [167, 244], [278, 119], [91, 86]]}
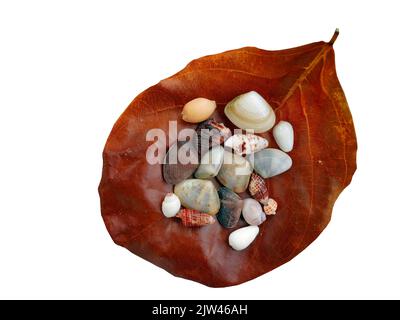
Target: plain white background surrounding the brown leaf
{"points": [[68, 69]]}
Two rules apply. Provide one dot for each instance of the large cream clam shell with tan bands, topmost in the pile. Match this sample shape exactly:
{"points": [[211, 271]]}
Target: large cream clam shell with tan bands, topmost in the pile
{"points": [[251, 111]]}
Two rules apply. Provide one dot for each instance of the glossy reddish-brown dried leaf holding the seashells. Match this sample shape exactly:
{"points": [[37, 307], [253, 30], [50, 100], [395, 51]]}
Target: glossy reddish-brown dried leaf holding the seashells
{"points": [[302, 86]]}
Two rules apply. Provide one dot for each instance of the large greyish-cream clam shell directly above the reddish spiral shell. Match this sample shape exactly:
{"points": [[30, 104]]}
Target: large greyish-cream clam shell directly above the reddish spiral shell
{"points": [[199, 195]]}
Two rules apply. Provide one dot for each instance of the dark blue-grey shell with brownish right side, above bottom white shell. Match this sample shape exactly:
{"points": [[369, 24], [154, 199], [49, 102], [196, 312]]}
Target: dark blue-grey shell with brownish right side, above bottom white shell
{"points": [[231, 207]]}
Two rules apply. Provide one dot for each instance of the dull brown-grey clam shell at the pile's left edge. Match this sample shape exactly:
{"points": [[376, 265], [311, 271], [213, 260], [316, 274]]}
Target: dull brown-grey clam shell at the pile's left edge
{"points": [[173, 170]]}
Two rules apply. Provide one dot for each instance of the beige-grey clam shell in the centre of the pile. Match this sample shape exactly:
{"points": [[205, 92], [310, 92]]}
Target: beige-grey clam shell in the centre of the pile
{"points": [[235, 172]]}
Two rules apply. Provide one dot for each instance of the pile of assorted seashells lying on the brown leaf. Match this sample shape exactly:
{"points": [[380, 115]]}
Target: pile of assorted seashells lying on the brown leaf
{"points": [[232, 165]]}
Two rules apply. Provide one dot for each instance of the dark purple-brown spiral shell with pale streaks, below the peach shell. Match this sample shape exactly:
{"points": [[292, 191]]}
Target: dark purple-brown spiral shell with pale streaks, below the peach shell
{"points": [[211, 133]]}
